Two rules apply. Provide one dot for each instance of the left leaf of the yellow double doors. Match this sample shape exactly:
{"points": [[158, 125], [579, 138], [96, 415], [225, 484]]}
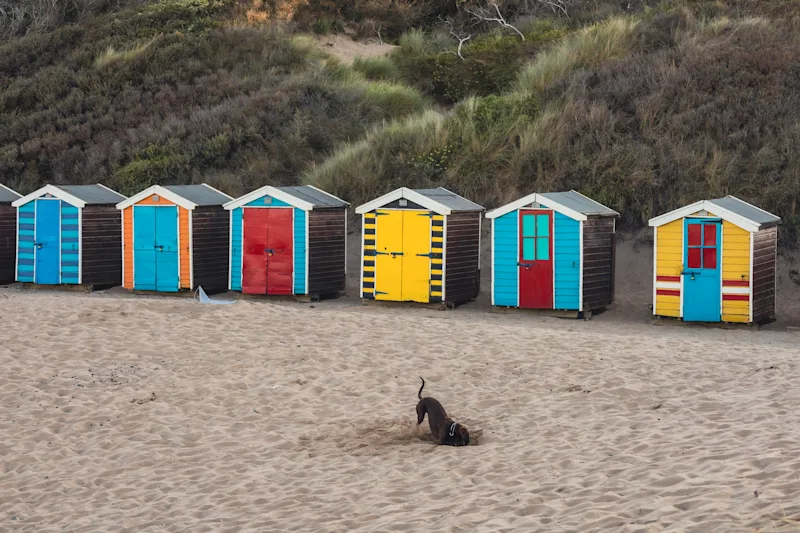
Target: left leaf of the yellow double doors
{"points": [[388, 254]]}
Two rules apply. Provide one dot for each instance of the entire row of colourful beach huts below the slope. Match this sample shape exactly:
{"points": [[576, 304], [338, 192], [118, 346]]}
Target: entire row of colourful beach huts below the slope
{"points": [[714, 260]]}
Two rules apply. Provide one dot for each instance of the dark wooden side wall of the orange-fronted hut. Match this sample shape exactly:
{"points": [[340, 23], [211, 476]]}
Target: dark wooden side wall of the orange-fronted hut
{"points": [[210, 248]]}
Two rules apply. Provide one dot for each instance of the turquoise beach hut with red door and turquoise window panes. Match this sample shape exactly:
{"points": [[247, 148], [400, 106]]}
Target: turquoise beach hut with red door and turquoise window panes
{"points": [[553, 251]]}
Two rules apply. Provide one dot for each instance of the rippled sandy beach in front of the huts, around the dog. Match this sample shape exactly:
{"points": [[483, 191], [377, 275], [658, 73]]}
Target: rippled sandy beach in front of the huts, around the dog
{"points": [[137, 414]]}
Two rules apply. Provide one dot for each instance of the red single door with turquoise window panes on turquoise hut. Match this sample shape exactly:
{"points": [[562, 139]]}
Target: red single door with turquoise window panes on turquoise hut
{"points": [[536, 259]]}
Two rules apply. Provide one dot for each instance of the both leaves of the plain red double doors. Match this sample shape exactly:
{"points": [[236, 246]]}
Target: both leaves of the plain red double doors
{"points": [[267, 256]]}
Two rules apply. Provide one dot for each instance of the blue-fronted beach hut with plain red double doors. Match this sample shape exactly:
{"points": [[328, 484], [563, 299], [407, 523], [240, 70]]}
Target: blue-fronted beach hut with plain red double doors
{"points": [[288, 241]]}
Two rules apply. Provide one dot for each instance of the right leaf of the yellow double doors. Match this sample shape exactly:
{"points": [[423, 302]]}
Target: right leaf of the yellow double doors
{"points": [[416, 285]]}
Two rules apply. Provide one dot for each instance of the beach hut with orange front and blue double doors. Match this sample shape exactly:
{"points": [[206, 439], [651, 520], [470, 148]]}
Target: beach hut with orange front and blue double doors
{"points": [[176, 237]]}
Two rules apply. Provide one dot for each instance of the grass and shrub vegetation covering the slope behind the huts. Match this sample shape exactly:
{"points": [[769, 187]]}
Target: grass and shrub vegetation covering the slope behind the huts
{"points": [[643, 105]]}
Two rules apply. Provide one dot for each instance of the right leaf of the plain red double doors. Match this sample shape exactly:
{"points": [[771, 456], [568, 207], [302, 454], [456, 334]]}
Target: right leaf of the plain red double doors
{"points": [[280, 259]]}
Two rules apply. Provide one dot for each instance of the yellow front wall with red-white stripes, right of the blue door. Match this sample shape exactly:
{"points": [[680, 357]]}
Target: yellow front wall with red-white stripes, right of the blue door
{"points": [[735, 273]]}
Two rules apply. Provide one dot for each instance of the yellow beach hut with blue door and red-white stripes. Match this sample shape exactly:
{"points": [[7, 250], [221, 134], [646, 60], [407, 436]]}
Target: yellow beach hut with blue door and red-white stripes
{"points": [[714, 261]]}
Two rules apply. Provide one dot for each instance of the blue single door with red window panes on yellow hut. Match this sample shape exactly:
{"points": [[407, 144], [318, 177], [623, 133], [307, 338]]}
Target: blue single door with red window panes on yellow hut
{"points": [[701, 274]]}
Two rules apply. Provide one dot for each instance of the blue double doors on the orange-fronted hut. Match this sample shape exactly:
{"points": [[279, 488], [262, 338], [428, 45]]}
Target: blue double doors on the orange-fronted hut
{"points": [[155, 248]]}
